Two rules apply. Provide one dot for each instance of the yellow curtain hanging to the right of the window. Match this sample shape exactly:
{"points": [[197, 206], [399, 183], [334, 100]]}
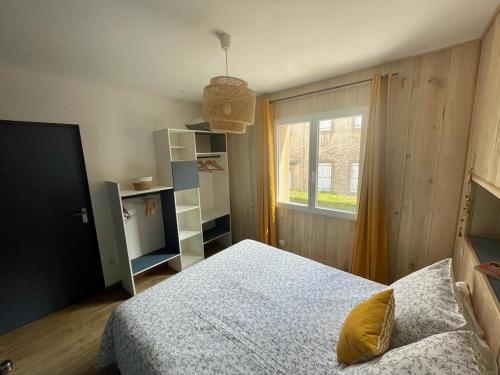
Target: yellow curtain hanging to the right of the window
{"points": [[370, 256]]}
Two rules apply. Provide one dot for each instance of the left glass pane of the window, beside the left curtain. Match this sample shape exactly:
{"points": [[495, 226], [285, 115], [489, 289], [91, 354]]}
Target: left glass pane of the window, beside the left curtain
{"points": [[293, 163]]}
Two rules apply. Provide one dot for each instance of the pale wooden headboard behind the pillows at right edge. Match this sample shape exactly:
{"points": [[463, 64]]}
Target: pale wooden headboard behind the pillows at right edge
{"points": [[485, 303]]}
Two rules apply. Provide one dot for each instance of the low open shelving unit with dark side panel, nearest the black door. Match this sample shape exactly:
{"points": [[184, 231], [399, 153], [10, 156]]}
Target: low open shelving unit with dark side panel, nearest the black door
{"points": [[143, 241]]}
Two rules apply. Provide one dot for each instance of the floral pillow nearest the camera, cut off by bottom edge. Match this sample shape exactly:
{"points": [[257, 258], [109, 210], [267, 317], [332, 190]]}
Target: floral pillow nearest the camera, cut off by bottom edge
{"points": [[446, 353]]}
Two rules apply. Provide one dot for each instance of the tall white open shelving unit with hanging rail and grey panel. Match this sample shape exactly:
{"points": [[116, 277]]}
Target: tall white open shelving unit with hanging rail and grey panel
{"points": [[201, 198]]}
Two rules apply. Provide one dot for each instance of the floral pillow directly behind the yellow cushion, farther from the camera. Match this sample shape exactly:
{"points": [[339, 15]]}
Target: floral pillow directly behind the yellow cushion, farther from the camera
{"points": [[425, 304]]}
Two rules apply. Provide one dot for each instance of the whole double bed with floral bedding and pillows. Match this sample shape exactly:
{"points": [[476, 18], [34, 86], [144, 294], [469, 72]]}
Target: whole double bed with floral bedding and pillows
{"points": [[254, 309]]}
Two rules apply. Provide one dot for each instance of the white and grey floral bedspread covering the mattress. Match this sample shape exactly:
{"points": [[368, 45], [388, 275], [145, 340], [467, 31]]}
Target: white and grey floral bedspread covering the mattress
{"points": [[250, 309]]}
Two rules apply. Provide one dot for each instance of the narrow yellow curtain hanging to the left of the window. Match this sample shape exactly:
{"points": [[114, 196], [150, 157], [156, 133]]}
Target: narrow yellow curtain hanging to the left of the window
{"points": [[266, 226]]}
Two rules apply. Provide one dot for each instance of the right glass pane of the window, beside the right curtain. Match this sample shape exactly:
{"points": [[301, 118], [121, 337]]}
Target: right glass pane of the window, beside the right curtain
{"points": [[339, 150]]}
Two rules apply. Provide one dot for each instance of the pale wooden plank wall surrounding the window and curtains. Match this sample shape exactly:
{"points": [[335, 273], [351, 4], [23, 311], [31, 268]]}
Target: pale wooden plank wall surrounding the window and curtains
{"points": [[431, 102]]}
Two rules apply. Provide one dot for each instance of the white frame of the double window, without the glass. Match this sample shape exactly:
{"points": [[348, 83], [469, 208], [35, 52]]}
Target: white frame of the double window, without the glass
{"points": [[313, 119]]}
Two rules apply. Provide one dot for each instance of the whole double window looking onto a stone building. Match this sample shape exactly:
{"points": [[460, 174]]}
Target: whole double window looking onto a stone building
{"points": [[318, 162]]}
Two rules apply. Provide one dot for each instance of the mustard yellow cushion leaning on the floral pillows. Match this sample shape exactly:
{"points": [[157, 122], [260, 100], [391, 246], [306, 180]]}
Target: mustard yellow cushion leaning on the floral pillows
{"points": [[367, 329]]}
